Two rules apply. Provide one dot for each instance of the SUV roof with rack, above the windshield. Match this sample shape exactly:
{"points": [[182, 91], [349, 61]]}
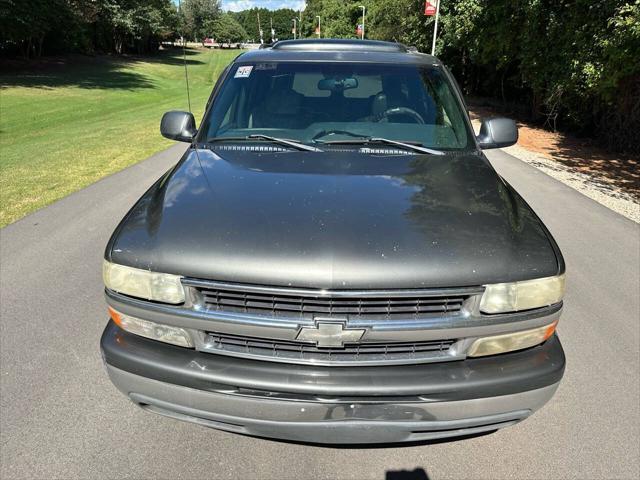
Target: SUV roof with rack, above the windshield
{"points": [[337, 50]]}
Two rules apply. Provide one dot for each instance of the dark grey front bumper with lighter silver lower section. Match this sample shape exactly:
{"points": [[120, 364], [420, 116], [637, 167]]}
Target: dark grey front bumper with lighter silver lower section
{"points": [[339, 405]]}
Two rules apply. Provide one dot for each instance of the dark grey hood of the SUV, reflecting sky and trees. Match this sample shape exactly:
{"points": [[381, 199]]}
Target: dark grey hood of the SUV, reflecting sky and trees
{"points": [[339, 219]]}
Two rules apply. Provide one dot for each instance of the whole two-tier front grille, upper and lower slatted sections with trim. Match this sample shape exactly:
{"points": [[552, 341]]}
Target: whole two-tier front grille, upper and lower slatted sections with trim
{"points": [[272, 308]]}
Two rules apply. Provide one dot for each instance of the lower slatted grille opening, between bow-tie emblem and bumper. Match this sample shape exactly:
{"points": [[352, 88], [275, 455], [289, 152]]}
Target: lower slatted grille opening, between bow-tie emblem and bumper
{"points": [[294, 351]]}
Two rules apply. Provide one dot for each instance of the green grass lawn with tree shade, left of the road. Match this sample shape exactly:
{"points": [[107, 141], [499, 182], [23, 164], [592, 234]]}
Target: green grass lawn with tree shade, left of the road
{"points": [[65, 124]]}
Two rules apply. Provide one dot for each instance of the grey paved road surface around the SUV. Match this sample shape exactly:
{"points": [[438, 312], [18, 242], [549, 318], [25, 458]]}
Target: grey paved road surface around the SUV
{"points": [[61, 418]]}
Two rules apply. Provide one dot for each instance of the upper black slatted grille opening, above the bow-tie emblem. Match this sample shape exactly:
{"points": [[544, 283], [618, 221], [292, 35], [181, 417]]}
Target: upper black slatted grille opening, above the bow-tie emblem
{"points": [[314, 304]]}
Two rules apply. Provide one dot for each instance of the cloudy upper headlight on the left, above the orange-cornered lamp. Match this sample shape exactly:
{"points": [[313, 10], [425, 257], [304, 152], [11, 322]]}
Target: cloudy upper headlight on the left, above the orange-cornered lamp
{"points": [[160, 287]]}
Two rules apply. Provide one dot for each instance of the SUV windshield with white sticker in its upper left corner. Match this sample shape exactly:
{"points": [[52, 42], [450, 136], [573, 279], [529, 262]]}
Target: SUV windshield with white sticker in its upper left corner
{"points": [[339, 102]]}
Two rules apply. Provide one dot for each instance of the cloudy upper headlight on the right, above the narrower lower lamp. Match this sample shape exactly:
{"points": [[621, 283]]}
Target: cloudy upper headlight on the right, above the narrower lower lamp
{"points": [[512, 297]]}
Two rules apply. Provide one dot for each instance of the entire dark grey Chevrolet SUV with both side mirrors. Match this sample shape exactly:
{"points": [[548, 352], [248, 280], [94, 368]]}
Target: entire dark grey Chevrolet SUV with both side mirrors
{"points": [[335, 260]]}
